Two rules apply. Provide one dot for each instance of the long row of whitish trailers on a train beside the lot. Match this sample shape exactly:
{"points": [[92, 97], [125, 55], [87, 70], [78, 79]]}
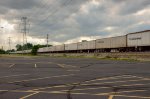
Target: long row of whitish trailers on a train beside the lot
{"points": [[138, 41]]}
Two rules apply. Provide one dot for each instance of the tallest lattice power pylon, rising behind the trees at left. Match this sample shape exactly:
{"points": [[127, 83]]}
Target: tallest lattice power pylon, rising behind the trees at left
{"points": [[24, 29]]}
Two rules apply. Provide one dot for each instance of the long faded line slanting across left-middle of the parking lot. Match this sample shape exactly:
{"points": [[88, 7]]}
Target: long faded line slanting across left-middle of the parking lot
{"points": [[40, 78]]}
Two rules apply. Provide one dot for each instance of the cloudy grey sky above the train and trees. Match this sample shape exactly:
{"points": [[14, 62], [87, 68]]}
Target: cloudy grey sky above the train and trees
{"points": [[70, 21]]}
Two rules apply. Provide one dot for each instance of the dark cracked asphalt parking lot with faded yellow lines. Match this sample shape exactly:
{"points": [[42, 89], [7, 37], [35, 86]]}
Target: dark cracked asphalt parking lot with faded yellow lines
{"points": [[73, 78]]}
